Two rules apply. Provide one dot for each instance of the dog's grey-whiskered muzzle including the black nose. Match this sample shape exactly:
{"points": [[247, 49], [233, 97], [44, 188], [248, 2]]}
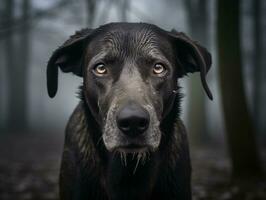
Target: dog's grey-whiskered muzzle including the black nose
{"points": [[131, 127]]}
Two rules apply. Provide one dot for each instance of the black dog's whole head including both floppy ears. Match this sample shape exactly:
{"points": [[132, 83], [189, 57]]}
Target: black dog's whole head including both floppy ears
{"points": [[130, 73]]}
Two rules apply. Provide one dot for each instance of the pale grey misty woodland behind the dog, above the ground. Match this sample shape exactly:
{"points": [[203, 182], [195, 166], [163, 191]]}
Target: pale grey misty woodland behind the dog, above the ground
{"points": [[38, 27]]}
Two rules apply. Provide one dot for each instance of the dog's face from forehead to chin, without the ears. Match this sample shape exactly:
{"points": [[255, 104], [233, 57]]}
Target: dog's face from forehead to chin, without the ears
{"points": [[132, 75]]}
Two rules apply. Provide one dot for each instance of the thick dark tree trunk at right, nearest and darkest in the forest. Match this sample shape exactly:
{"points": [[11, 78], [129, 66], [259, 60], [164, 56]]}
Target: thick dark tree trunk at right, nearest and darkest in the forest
{"points": [[240, 133]]}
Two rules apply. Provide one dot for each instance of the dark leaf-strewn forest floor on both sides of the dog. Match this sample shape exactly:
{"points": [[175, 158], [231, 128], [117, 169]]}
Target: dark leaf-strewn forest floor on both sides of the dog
{"points": [[29, 167]]}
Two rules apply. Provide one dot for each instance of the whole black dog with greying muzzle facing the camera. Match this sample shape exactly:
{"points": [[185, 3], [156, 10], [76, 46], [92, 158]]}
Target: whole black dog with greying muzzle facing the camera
{"points": [[125, 139]]}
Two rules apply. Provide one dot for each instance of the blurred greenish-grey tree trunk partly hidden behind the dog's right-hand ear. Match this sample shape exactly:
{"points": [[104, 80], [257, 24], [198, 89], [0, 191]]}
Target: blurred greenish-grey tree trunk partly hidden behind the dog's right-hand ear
{"points": [[197, 15]]}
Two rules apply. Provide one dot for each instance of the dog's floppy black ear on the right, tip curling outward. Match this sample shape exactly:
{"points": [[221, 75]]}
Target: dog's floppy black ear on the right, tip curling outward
{"points": [[193, 57]]}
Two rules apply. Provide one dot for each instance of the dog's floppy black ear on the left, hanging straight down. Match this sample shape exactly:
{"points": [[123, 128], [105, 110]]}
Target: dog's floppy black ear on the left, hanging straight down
{"points": [[68, 57]]}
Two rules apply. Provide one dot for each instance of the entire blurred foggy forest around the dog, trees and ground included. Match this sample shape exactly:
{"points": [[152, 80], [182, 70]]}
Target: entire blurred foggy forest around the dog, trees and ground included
{"points": [[227, 135]]}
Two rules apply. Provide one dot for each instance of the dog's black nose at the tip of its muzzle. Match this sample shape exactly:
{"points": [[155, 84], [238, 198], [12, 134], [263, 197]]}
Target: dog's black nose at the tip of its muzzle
{"points": [[133, 120]]}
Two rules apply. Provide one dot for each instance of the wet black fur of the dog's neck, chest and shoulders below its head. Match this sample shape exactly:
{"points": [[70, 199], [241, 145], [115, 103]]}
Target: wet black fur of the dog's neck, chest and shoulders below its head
{"points": [[85, 170]]}
